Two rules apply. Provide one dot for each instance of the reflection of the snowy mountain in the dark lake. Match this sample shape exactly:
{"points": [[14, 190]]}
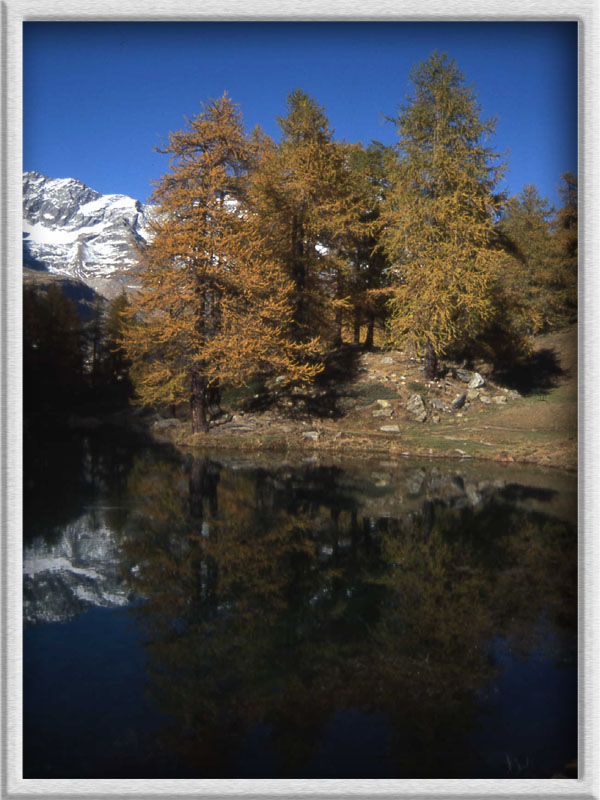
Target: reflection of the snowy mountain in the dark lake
{"points": [[75, 571]]}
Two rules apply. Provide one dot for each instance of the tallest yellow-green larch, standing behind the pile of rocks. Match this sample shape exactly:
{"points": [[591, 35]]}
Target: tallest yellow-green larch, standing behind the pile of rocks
{"points": [[440, 214]]}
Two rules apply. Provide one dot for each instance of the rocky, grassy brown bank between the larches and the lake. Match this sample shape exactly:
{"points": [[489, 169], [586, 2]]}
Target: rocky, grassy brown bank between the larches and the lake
{"points": [[527, 415]]}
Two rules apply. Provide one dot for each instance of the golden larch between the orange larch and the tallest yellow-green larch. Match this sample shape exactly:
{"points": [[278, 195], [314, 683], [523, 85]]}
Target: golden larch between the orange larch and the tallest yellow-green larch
{"points": [[308, 200]]}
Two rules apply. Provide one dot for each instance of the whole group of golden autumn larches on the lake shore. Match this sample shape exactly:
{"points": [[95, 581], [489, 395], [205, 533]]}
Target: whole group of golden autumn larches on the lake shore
{"points": [[264, 256]]}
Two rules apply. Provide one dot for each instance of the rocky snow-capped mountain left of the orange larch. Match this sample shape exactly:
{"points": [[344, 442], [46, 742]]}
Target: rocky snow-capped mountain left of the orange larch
{"points": [[74, 231]]}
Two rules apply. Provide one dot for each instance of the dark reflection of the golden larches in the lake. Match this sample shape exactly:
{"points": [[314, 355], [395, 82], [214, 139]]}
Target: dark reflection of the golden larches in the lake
{"points": [[270, 604]]}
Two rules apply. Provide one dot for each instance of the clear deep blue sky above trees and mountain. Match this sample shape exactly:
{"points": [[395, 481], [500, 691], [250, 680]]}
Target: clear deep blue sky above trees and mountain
{"points": [[98, 97]]}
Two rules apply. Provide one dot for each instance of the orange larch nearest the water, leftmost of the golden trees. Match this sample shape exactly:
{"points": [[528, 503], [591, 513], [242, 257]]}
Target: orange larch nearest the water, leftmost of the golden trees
{"points": [[210, 309]]}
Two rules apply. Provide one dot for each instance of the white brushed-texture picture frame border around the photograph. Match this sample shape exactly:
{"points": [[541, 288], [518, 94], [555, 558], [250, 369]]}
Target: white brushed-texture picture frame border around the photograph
{"points": [[12, 14]]}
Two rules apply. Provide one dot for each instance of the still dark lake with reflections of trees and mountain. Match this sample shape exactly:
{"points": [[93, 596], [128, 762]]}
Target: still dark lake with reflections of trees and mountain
{"points": [[288, 618]]}
